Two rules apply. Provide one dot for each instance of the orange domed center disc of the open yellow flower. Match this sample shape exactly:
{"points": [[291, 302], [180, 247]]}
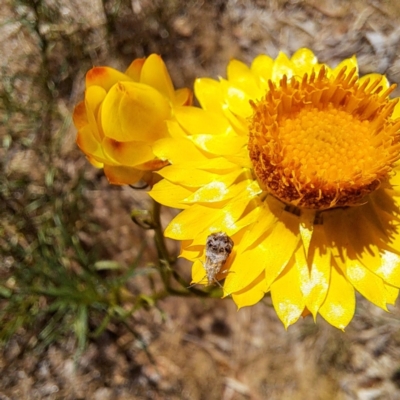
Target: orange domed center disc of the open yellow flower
{"points": [[323, 142]]}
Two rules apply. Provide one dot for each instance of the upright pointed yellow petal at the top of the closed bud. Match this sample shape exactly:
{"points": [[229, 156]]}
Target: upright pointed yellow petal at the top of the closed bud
{"points": [[154, 73]]}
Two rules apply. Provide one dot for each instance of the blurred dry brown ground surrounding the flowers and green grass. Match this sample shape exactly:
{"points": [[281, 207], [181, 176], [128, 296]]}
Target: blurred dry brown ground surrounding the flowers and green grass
{"points": [[185, 348]]}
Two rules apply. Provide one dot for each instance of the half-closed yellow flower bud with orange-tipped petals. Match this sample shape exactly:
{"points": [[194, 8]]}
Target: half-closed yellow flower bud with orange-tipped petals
{"points": [[123, 114]]}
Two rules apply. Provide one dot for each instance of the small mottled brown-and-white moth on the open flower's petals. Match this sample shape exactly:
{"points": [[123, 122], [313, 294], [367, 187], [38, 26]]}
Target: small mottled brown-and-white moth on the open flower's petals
{"points": [[218, 247]]}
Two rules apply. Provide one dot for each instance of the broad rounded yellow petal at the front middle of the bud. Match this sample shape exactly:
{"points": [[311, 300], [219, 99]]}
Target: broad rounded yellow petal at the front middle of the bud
{"points": [[134, 112]]}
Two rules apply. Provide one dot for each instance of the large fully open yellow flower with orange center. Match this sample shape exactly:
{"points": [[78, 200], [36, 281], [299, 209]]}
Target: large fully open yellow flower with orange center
{"points": [[298, 163]]}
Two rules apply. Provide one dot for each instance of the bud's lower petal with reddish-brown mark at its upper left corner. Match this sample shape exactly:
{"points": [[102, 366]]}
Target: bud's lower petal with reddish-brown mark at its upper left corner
{"points": [[128, 154]]}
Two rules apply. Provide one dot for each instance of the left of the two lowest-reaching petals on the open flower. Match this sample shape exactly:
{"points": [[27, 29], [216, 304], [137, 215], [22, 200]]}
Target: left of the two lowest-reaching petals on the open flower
{"points": [[287, 298]]}
